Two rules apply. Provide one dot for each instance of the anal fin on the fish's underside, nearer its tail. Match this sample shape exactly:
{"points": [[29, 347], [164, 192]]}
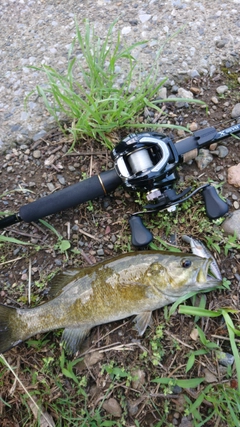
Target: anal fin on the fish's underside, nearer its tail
{"points": [[72, 338]]}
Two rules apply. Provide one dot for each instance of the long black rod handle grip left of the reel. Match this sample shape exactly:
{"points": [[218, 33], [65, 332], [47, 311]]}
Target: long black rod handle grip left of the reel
{"points": [[71, 196]]}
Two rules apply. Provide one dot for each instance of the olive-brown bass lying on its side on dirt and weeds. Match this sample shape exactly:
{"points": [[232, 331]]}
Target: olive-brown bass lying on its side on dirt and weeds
{"points": [[131, 284]]}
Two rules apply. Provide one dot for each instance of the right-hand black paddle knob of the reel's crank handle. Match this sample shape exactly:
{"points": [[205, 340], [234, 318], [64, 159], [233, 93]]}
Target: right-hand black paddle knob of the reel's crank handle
{"points": [[215, 206]]}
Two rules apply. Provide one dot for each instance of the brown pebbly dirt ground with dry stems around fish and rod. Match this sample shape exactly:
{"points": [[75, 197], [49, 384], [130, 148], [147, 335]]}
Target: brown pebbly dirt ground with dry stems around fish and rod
{"points": [[98, 230]]}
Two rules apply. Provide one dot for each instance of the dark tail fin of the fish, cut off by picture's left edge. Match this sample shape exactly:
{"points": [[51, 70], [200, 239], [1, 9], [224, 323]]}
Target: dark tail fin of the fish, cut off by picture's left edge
{"points": [[8, 338]]}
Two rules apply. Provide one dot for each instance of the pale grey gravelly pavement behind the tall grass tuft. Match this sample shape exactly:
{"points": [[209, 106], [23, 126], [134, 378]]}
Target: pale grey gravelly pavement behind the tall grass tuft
{"points": [[38, 32]]}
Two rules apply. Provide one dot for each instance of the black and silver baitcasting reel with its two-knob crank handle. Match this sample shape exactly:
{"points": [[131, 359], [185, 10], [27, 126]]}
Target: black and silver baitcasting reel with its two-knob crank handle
{"points": [[147, 162]]}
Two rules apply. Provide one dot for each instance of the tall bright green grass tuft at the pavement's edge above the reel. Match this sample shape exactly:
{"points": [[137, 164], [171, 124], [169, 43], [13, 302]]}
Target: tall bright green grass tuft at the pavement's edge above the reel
{"points": [[88, 93]]}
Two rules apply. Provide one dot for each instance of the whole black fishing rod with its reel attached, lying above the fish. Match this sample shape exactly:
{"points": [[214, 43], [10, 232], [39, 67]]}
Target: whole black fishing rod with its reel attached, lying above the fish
{"points": [[144, 162]]}
